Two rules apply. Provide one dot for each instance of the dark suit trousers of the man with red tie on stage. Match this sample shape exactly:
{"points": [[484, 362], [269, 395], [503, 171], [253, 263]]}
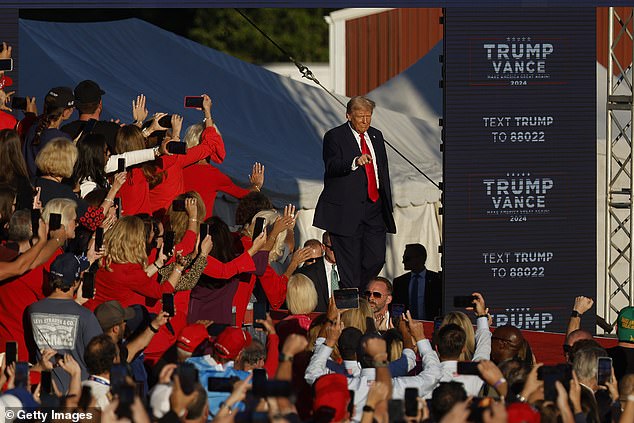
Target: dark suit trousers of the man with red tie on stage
{"points": [[361, 256]]}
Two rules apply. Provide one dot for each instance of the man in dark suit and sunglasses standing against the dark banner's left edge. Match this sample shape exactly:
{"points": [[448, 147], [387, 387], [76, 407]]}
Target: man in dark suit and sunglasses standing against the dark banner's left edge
{"points": [[419, 283]]}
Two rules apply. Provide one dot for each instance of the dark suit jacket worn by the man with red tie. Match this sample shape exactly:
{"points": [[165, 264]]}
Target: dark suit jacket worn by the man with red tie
{"points": [[341, 202]]}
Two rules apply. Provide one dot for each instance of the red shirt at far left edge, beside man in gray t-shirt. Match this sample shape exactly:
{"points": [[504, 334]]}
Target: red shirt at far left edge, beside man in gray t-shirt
{"points": [[15, 297]]}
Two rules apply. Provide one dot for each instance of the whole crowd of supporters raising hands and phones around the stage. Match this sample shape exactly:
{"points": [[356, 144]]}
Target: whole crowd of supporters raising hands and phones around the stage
{"points": [[123, 296]]}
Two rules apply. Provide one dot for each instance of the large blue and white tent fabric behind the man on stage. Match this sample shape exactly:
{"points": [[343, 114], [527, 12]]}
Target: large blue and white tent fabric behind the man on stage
{"points": [[262, 116]]}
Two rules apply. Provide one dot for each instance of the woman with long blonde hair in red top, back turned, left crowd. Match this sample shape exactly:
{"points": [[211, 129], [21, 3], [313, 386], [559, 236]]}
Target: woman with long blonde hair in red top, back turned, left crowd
{"points": [[123, 275]]}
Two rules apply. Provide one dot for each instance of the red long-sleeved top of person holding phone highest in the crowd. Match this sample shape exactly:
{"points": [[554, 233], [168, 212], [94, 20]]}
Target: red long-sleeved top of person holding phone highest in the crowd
{"points": [[161, 196]]}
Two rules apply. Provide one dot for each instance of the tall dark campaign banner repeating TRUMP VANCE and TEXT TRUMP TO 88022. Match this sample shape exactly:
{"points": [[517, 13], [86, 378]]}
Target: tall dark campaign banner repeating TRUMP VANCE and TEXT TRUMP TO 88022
{"points": [[520, 162]]}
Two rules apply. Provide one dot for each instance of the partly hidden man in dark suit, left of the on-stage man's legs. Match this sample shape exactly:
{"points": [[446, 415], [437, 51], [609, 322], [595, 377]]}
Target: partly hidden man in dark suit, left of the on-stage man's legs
{"points": [[323, 273]]}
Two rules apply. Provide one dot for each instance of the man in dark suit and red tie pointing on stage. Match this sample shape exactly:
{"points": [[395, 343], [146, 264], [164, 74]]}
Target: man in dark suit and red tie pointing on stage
{"points": [[355, 205]]}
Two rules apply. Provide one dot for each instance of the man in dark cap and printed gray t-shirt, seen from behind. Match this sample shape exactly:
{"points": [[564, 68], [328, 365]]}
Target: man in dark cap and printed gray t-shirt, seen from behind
{"points": [[57, 322]]}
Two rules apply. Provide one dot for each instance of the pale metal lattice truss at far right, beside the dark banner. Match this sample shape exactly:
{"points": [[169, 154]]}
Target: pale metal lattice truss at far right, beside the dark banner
{"points": [[619, 216]]}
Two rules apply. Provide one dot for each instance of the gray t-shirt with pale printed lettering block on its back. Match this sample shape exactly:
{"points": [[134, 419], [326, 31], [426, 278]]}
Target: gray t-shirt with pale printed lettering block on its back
{"points": [[64, 326]]}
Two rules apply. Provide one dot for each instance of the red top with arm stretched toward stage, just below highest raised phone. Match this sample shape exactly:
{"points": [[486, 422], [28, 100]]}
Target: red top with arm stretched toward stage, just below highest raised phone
{"points": [[207, 180]]}
